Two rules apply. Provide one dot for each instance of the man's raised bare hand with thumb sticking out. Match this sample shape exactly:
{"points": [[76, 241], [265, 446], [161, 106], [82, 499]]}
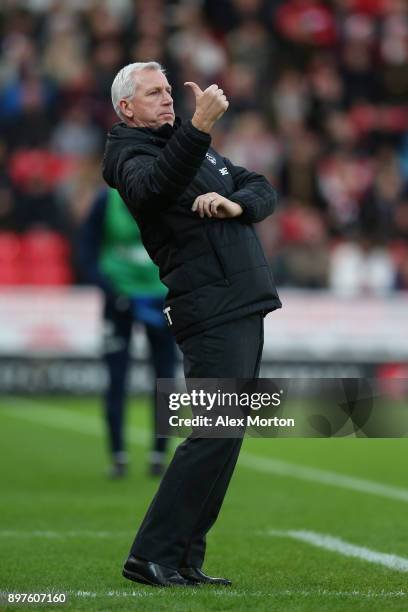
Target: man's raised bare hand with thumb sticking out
{"points": [[211, 104]]}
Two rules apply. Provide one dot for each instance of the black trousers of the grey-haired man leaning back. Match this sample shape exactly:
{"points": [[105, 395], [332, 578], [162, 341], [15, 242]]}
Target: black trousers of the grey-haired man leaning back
{"points": [[192, 490]]}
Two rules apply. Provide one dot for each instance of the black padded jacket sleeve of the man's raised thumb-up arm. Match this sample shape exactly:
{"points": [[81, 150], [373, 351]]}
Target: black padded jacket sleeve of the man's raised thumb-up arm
{"points": [[146, 178]]}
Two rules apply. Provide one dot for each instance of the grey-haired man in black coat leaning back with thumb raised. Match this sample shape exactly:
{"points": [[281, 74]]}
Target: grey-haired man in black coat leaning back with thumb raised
{"points": [[195, 211]]}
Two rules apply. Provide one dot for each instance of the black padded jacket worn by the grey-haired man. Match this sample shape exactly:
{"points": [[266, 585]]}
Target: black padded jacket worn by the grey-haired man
{"points": [[215, 269]]}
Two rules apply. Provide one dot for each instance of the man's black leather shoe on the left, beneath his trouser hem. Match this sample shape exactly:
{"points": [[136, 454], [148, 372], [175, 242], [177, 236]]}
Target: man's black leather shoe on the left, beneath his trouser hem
{"points": [[153, 574]]}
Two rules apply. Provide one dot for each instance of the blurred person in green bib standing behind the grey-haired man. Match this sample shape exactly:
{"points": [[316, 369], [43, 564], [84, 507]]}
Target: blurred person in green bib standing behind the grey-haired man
{"points": [[113, 258]]}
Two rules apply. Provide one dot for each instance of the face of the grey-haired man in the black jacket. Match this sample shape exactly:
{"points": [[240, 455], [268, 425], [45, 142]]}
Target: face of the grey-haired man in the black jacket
{"points": [[152, 104]]}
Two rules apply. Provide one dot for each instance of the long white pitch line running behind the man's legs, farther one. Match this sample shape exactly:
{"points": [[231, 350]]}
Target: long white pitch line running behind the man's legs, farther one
{"points": [[267, 465]]}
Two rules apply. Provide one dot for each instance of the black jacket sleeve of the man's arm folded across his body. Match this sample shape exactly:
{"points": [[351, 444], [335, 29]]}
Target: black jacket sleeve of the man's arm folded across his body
{"points": [[253, 193]]}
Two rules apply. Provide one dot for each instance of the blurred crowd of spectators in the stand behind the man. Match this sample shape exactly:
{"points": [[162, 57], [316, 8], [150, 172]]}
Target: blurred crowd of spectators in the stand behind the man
{"points": [[318, 96]]}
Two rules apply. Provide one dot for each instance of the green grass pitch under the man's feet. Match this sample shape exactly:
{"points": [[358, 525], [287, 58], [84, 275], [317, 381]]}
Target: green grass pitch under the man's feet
{"points": [[65, 528]]}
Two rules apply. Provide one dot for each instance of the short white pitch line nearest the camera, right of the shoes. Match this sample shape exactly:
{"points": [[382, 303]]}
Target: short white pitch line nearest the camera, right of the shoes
{"points": [[328, 542]]}
